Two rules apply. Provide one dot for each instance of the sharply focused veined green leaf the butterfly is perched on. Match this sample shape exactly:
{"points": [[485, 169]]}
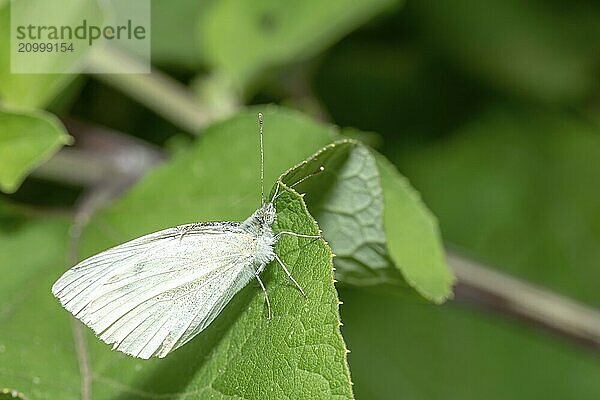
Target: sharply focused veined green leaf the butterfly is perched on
{"points": [[298, 354]]}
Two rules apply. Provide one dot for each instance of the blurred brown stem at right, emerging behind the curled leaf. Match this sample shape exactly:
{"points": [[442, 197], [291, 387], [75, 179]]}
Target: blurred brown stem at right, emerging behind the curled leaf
{"points": [[501, 292]]}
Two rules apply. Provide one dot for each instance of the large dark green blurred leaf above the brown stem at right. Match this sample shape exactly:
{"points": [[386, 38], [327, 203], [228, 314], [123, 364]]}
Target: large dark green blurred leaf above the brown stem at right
{"points": [[519, 190]]}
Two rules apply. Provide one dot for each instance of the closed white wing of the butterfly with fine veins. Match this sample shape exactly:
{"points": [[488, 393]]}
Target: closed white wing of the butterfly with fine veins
{"points": [[153, 294]]}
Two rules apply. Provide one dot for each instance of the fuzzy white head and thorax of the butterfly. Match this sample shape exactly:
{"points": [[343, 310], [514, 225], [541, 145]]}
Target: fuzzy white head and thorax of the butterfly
{"points": [[259, 226]]}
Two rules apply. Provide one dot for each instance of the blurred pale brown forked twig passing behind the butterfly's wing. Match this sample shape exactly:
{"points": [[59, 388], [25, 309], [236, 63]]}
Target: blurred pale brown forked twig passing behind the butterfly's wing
{"points": [[107, 163]]}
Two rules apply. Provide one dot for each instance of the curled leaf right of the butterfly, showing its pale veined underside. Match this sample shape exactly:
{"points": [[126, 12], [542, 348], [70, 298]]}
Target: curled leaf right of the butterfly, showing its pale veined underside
{"points": [[375, 223]]}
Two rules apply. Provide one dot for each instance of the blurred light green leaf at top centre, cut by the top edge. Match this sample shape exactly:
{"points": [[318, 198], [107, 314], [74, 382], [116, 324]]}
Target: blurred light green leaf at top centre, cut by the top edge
{"points": [[242, 39]]}
